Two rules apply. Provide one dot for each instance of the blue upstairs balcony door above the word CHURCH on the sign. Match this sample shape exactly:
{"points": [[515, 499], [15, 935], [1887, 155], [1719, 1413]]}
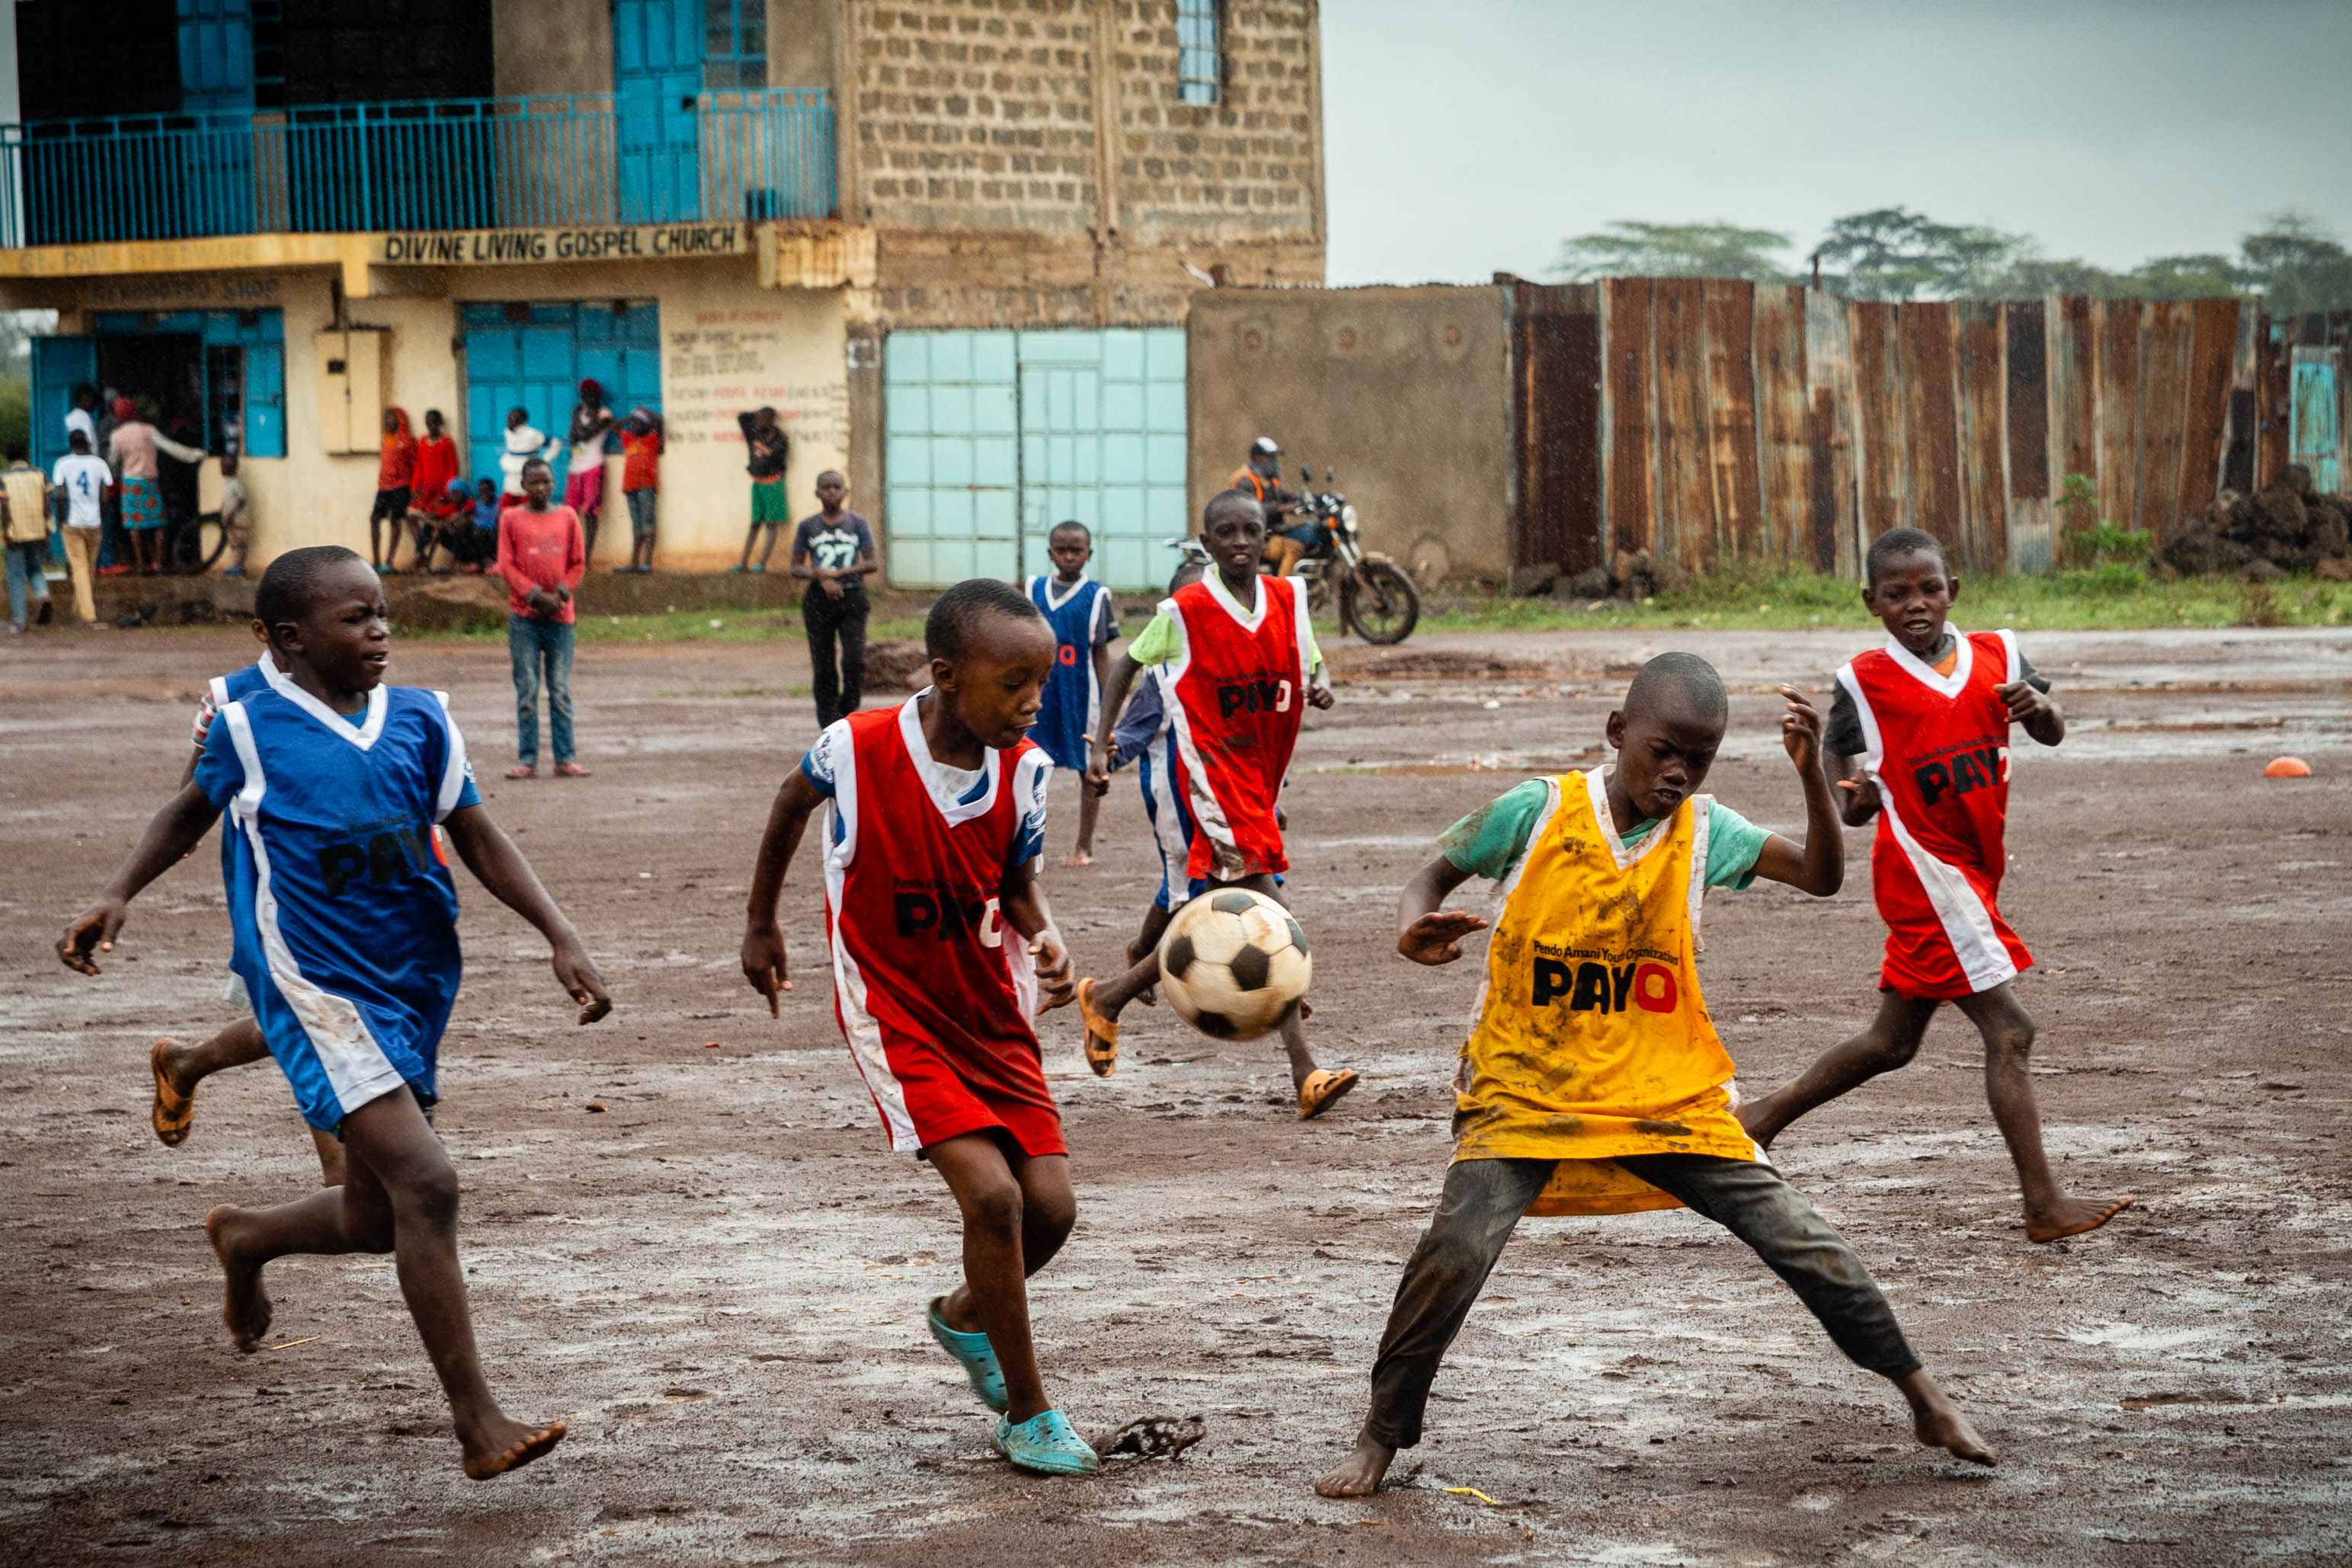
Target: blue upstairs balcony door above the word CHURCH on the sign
{"points": [[657, 53]]}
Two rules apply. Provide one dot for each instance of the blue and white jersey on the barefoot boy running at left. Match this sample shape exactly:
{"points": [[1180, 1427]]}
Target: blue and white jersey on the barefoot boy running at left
{"points": [[340, 890]]}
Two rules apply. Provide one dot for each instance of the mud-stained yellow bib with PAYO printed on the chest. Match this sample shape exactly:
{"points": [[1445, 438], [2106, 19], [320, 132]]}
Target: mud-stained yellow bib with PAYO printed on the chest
{"points": [[1593, 1038]]}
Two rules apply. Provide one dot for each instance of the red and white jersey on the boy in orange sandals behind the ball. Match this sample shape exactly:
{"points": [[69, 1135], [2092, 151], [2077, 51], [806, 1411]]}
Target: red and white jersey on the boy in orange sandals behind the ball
{"points": [[1238, 692]]}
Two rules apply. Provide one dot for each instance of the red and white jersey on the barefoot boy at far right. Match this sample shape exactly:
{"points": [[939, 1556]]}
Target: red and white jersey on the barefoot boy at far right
{"points": [[1939, 753]]}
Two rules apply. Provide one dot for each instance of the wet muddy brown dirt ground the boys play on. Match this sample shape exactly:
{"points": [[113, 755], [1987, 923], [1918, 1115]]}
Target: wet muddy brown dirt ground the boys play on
{"points": [[721, 1280]]}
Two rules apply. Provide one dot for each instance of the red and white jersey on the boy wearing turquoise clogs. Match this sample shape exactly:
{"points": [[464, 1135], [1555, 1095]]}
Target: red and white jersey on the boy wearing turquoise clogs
{"points": [[930, 986]]}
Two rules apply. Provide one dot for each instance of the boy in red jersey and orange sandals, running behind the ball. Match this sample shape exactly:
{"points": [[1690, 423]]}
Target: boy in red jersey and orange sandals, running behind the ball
{"points": [[1238, 683]]}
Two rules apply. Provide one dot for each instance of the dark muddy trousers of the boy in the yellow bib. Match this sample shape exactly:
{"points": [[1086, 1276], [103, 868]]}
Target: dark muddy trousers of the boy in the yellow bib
{"points": [[1485, 1200]]}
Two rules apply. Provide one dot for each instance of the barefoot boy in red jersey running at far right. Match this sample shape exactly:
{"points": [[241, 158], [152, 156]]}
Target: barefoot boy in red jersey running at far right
{"points": [[1930, 718]]}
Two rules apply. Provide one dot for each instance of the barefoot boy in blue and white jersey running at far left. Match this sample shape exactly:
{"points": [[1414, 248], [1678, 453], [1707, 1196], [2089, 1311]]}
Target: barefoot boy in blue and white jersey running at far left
{"points": [[340, 791]]}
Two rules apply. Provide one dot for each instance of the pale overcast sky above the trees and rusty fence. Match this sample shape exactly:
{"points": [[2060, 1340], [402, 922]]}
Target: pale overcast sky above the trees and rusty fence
{"points": [[1476, 135]]}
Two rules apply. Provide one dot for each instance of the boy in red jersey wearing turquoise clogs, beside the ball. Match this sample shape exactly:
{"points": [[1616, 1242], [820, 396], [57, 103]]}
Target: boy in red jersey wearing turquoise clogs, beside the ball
{"points": [[933, 829]]}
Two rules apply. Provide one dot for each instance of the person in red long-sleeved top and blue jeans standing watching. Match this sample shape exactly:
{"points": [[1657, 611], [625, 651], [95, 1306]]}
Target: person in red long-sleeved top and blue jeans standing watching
{"points": [[542, 561]]}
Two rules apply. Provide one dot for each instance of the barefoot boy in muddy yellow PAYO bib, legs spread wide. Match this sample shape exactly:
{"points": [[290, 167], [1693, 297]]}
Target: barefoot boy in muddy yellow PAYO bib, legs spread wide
{"points": [[1593, 1080]]}
